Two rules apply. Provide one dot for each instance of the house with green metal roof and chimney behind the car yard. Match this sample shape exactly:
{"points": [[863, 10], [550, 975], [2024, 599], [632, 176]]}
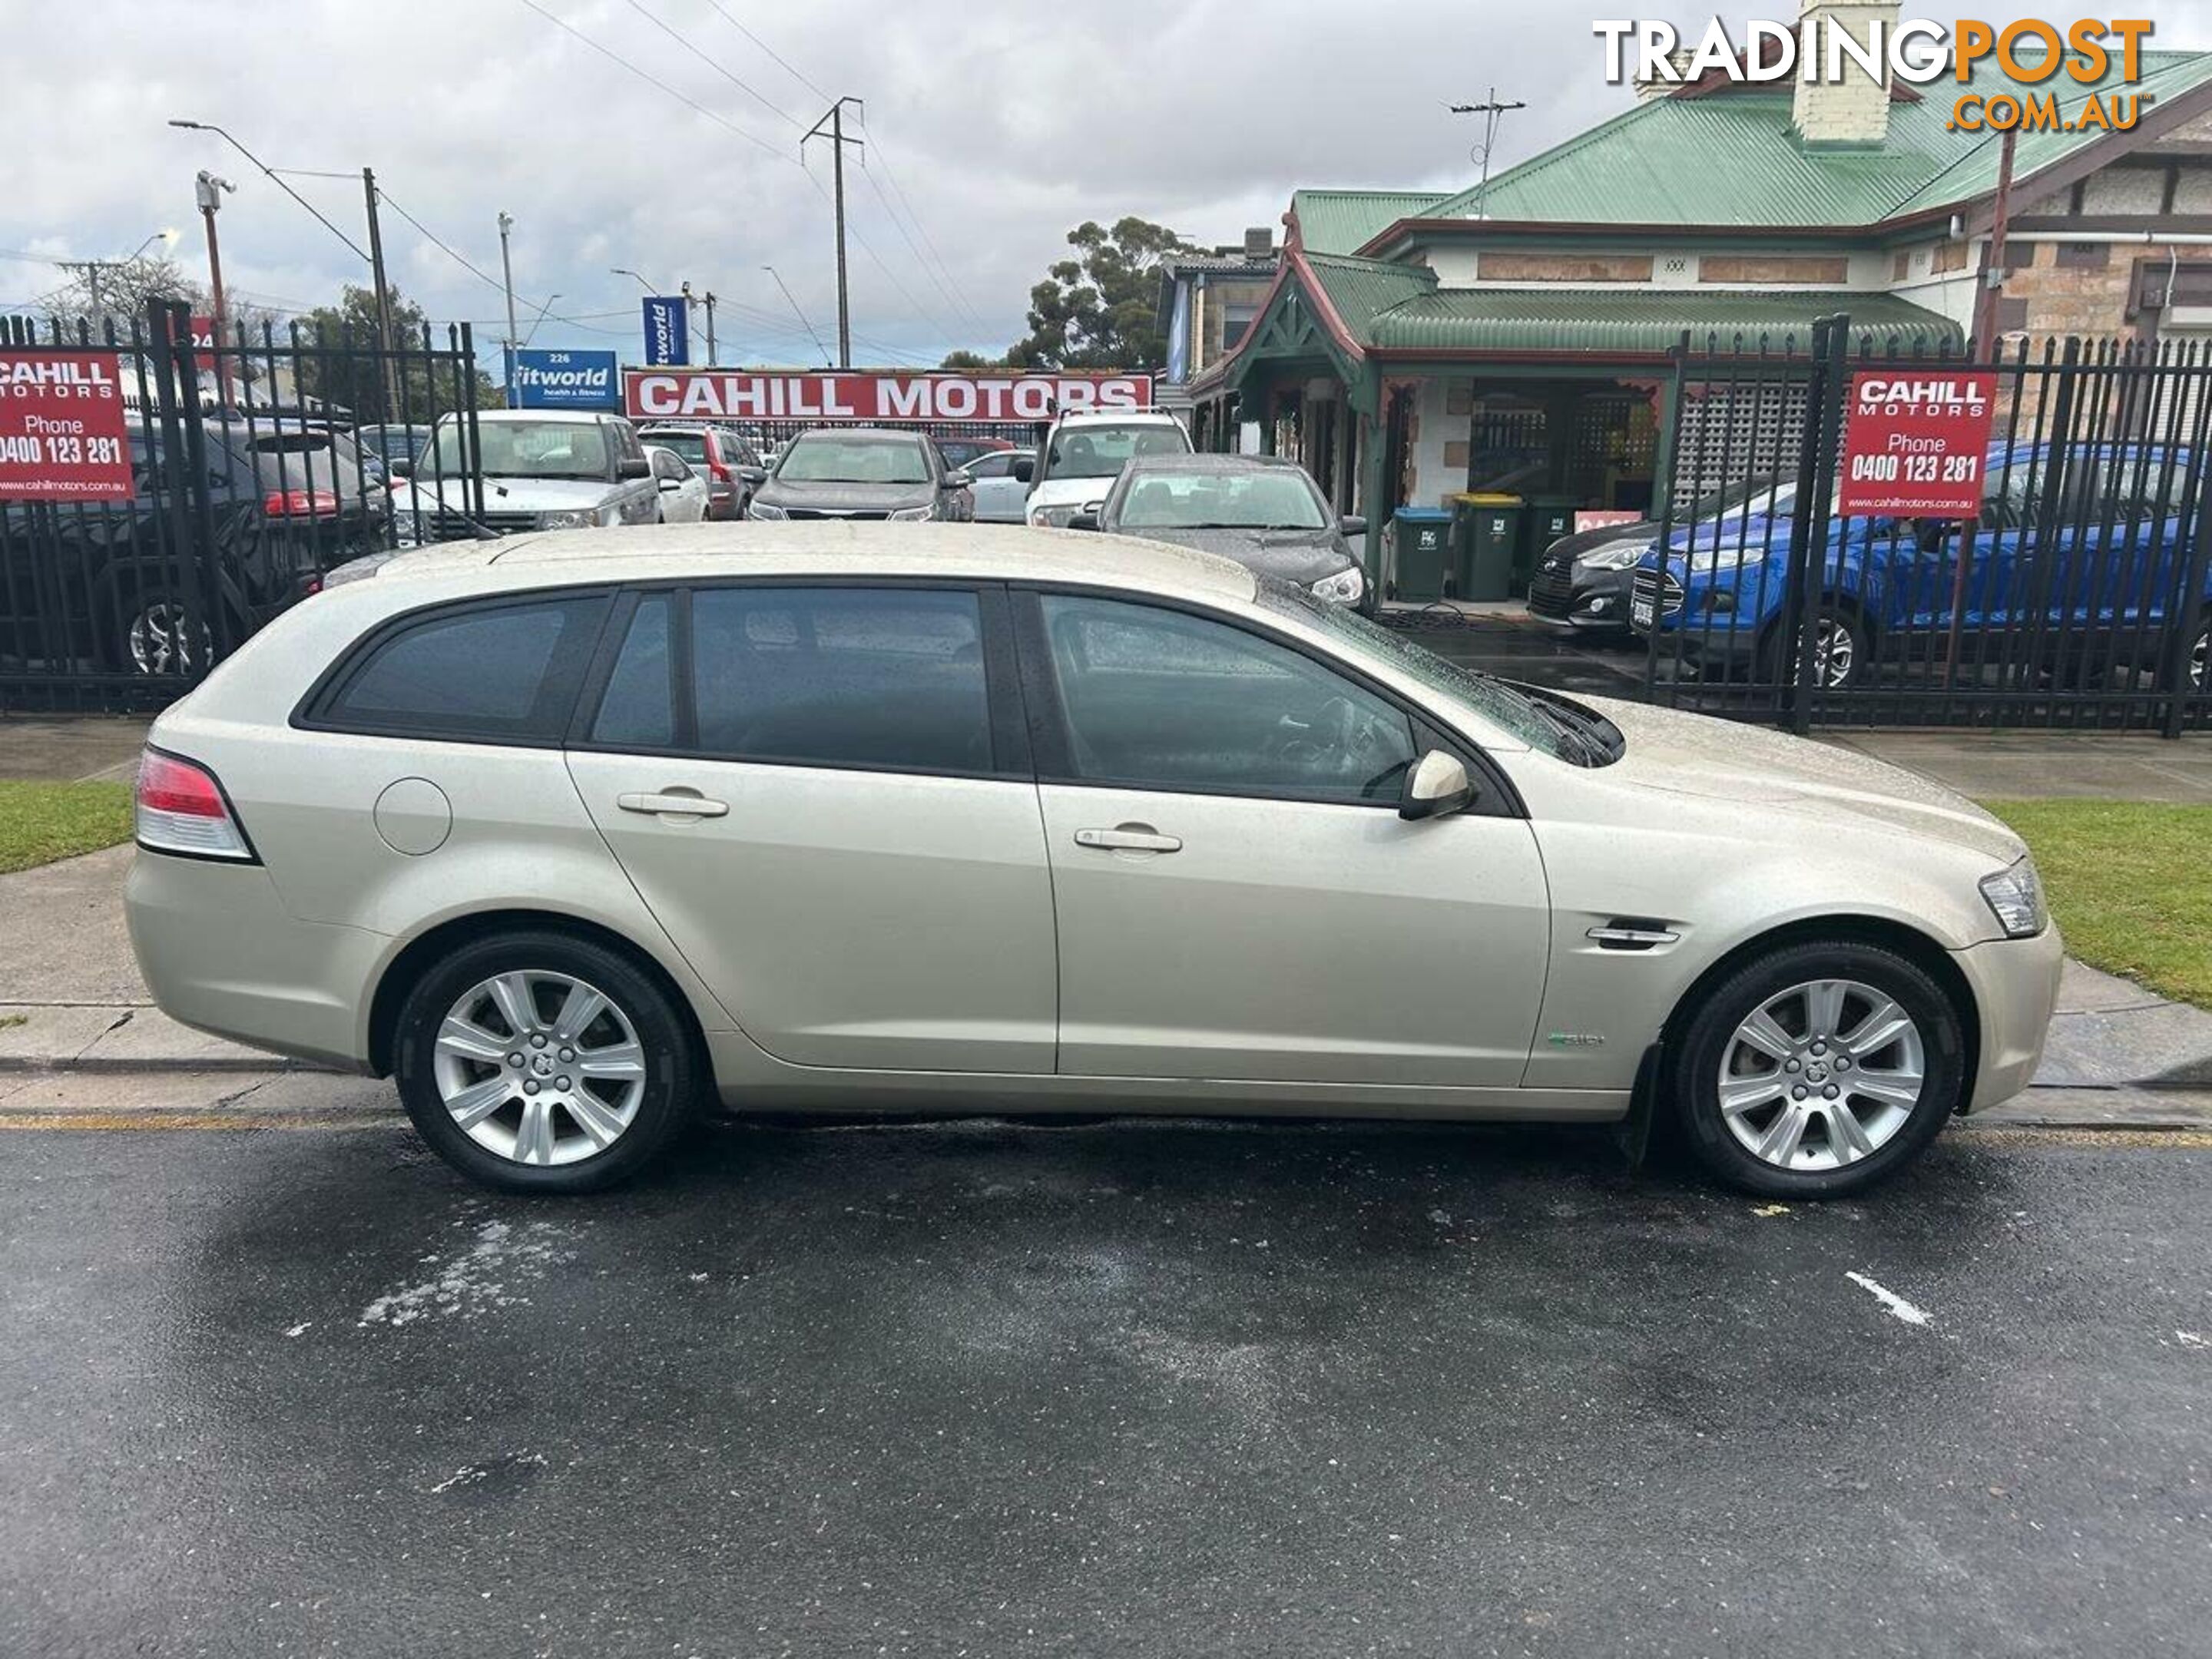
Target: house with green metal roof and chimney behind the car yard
{"points": [[1521, 333]]}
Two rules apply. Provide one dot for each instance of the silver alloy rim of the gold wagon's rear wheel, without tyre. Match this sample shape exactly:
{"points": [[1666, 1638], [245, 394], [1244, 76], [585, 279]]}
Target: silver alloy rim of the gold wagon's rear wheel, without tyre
{"points": [[539, 1070]]}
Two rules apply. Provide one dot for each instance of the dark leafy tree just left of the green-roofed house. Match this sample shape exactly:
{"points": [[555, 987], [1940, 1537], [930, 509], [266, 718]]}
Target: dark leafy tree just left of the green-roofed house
{"points": [[1100, 309]]}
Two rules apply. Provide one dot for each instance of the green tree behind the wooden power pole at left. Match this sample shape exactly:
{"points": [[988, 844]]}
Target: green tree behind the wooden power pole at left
{"points": [[340, 362]]}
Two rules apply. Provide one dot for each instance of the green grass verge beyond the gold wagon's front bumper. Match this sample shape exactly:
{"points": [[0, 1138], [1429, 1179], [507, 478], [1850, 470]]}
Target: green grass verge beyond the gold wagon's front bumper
{"points": [[2129, 884]]}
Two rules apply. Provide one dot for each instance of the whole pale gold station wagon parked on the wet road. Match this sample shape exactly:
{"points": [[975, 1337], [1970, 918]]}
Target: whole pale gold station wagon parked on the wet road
{"points": [[572, 835]]}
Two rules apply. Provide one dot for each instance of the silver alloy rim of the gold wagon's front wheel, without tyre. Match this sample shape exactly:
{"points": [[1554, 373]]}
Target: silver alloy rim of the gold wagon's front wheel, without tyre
{"points": [[1822, 1076]]}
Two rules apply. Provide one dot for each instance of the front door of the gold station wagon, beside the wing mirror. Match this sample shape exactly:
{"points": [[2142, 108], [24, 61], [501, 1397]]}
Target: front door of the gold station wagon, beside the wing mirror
{"points": [[1235, 890]]}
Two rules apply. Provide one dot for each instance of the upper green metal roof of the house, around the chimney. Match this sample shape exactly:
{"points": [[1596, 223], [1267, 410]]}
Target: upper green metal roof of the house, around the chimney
{"points": [[1733, 158]]}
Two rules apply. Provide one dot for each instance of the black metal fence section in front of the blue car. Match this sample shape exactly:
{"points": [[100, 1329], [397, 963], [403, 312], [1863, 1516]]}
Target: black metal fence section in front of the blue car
{"points": [[2076, 598]]}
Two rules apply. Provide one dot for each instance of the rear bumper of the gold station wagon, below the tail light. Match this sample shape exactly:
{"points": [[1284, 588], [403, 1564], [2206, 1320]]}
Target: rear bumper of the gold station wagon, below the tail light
{"points": [[222, 954]]}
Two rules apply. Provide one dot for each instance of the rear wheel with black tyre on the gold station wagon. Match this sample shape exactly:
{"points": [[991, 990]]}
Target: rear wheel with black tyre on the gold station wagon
{"points": [[539, 1063]]}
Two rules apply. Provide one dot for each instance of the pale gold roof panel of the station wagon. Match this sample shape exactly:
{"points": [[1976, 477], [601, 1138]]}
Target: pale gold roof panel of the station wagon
{"points": [[828, 550]]}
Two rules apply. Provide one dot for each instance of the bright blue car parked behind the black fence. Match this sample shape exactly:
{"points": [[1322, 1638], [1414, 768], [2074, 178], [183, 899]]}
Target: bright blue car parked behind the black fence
{"points": [[2100, 576]]}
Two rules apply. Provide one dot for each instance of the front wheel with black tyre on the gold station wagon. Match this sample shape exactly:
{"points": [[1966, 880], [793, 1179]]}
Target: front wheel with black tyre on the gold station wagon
{"points": [[1817, 1070]]}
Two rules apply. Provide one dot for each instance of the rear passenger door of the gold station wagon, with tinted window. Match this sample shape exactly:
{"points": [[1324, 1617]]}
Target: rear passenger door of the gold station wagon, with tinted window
{"points": [[824, 795]]}
